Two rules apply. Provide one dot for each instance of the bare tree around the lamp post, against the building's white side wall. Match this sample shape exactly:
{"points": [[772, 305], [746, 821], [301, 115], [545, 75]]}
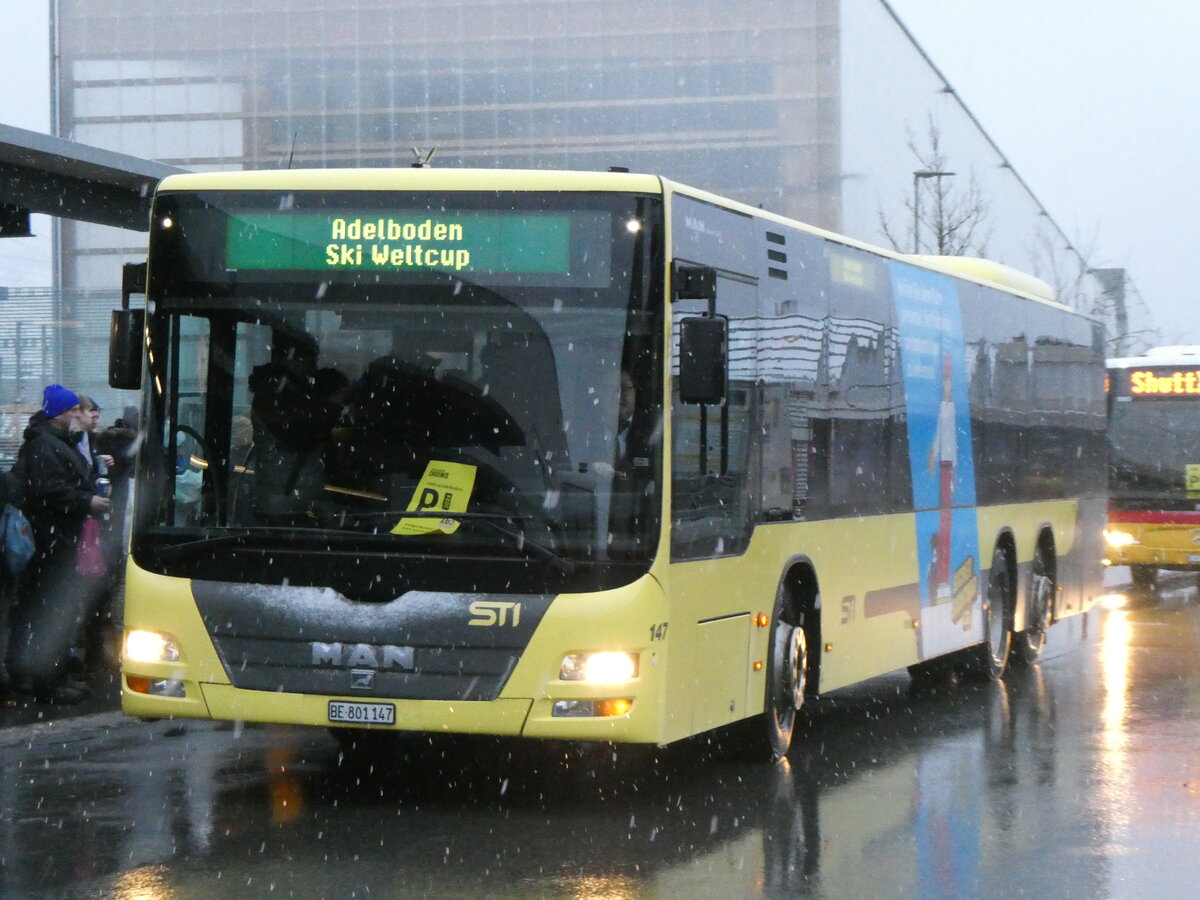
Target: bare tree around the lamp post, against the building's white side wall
{"points": [[944, 218]]}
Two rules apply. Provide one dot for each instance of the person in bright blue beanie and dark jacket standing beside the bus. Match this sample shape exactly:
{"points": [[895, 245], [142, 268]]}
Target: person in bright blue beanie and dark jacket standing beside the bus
{"points": [[61, 495]]}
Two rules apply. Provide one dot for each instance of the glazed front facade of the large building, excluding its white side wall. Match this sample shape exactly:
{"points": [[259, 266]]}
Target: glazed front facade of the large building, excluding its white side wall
{"points": [[742, 101]]}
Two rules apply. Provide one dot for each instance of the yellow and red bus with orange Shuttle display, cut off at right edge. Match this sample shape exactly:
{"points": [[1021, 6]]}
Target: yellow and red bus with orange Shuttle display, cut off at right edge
{"points": [[1155, 465]]}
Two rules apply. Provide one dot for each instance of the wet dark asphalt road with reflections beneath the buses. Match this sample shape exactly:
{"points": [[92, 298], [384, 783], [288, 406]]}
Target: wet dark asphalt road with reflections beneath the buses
{"points": [[1078, 778]]}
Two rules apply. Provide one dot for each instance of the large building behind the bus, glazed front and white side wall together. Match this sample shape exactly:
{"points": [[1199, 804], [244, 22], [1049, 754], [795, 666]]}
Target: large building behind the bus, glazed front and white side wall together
{"points": [[814, 109]]}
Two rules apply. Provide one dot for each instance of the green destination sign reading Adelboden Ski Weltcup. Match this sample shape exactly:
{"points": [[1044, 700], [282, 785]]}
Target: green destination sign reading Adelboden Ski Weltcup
{"points": [[400, 242]]}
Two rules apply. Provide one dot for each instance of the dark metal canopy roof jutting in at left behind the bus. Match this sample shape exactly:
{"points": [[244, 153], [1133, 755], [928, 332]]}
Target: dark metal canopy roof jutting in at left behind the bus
{"points": [[62, 178]]}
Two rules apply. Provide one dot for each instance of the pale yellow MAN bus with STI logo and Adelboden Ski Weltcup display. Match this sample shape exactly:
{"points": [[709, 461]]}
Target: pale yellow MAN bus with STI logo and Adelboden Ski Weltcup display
{"points": [[584, 457]]}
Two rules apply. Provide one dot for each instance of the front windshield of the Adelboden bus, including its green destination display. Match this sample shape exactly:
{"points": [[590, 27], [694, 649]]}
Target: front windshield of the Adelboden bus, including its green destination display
{"points": [[458, 376]]}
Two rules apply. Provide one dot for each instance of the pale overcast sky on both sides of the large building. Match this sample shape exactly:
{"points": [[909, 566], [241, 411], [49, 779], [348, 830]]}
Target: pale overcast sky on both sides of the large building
{"points": [[1094, 104]]}
